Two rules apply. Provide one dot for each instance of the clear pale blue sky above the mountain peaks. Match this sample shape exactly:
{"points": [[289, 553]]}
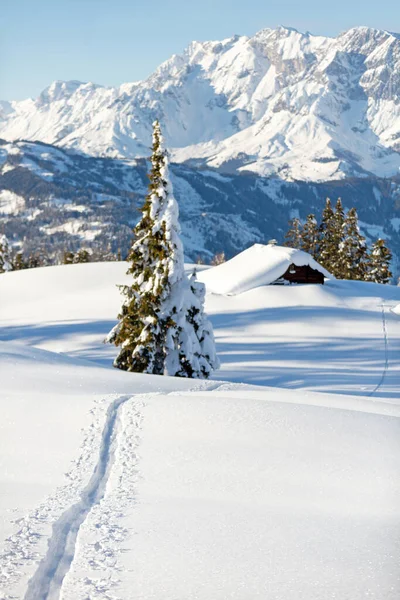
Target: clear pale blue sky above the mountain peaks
{"points": [[112, 41]]}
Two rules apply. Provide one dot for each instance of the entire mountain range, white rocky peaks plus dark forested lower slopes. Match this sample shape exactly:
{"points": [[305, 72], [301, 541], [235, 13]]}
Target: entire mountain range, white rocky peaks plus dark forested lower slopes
{"points": [[268, 124]]}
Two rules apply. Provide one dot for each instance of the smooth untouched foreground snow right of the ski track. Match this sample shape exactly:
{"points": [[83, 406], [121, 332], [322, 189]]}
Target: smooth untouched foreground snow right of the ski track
{"points": [[247, 498]]}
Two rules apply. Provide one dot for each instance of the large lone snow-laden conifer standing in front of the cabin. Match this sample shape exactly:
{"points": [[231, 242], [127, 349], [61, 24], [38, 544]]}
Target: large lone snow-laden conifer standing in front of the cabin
{"points": [[155, 333]]}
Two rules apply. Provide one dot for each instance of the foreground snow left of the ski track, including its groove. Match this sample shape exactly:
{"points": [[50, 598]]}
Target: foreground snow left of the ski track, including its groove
{"points": [[53, 421]]}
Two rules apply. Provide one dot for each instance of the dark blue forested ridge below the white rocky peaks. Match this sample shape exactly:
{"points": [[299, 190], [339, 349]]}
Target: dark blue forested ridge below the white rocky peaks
{"points": [[54, 199]]}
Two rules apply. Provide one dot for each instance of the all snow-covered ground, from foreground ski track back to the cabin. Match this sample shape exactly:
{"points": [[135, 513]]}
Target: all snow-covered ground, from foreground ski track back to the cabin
{"points": [[116, 485]]}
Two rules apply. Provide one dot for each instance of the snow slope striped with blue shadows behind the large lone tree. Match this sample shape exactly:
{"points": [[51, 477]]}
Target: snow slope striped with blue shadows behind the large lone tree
{"points": [[337, 337]]}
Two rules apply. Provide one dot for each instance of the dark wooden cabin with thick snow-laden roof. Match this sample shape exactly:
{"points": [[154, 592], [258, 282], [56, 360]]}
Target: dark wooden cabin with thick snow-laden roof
{"points": [[263, 265]]}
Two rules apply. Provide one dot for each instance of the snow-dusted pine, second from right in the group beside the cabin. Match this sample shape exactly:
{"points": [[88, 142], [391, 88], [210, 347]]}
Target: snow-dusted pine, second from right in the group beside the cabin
{"points": [[353, 249]]}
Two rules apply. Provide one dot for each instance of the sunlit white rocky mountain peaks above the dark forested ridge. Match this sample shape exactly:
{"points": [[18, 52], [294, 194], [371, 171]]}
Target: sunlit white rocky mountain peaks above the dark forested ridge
{"points": [[306, 107]]}
